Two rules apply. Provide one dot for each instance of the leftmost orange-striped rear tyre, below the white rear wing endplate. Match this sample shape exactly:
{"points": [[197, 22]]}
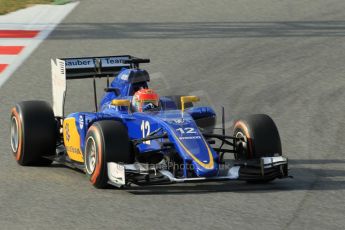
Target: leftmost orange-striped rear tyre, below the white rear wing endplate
{"points": [[33, 132]]}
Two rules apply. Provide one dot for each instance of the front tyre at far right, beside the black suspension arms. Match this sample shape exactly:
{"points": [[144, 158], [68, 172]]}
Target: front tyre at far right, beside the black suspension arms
{"points": [[257, 136]]}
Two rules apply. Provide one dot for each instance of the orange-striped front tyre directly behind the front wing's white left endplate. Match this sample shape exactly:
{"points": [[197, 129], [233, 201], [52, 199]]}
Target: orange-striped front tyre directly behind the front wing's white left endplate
{"points": [[106, 141]]}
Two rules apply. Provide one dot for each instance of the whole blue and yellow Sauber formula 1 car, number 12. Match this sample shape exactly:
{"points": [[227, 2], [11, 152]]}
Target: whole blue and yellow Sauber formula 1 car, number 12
{"points": [[138, 137]]}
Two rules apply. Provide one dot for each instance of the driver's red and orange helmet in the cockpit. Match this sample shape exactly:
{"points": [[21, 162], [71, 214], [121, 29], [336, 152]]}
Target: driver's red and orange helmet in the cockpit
{"points": [[144, 100]]}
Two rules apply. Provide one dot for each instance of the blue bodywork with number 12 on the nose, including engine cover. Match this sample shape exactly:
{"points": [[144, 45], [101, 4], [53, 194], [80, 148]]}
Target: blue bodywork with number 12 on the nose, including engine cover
{"points": [[180, 126]]}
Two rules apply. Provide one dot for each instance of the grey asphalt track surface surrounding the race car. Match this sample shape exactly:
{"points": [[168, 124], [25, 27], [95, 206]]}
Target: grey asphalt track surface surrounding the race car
{"points": [[283, 58]]}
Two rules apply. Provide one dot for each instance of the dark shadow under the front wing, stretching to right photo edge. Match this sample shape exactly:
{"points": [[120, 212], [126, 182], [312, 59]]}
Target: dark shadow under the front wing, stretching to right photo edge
{"points": [[322, 176]]}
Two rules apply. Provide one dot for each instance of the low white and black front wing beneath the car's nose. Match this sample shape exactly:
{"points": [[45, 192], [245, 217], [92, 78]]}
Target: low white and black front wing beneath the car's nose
{"points": [[268, 168]]}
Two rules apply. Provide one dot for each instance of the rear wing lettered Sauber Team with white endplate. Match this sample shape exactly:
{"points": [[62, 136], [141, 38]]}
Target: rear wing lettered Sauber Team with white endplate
{"points": [[63, 69]]}
